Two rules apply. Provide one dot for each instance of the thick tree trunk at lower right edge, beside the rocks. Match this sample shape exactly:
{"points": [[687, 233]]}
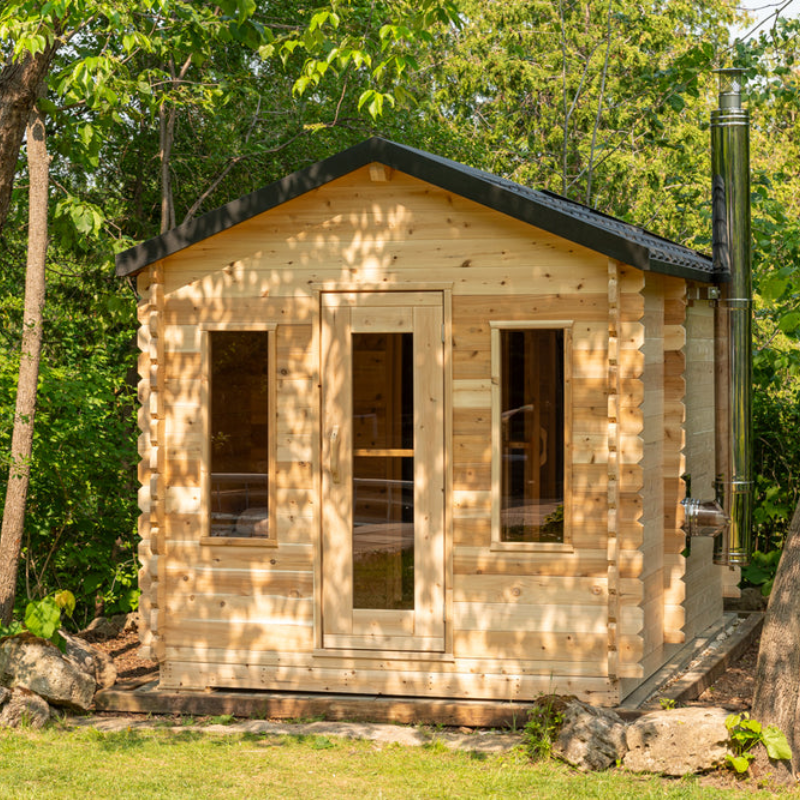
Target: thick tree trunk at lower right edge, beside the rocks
{"points": [[777, 689]]}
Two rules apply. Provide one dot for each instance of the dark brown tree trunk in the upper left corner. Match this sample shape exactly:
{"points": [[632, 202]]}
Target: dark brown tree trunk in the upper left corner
{"points": [[19, 87]]}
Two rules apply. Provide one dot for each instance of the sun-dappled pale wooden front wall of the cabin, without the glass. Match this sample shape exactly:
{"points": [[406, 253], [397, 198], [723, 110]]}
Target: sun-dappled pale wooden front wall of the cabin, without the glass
{"points": [[515, 623]]}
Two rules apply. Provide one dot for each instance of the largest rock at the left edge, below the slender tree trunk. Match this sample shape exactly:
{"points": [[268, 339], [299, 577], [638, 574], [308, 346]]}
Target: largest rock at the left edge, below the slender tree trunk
{"points": [[38, 665]]}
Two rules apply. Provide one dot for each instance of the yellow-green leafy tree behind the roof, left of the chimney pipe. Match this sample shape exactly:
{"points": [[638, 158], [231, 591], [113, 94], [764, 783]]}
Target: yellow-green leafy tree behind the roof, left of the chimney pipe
{"points": [[601, 102]]}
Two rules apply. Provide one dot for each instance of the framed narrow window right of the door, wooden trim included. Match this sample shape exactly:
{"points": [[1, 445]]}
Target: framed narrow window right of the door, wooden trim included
{"points": [[530, 436]]}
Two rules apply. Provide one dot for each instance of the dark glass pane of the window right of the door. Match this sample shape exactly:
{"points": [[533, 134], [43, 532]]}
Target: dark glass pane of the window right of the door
{"points": [[532, 435]]}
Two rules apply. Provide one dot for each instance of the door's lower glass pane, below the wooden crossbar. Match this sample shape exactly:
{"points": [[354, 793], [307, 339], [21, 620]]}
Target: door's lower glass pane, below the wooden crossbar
{"points": [[383, 533]]}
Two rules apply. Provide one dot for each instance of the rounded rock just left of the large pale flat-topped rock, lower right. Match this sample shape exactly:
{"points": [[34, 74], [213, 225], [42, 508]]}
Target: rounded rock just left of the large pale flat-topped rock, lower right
{"points": [[590, 738]]}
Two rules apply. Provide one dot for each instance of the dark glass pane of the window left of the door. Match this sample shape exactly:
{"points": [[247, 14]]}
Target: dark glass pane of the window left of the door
{"points": [[239, 504]]}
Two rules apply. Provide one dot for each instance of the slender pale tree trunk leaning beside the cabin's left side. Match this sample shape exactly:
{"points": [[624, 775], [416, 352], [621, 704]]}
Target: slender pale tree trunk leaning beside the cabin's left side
{"points": [[22, 437]]}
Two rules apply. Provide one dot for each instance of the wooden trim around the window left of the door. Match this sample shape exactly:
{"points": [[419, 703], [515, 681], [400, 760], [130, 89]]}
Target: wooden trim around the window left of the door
{"points": [[205, 417]]}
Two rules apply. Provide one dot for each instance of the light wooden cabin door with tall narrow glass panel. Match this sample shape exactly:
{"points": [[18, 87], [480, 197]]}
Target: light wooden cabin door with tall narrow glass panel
{"points": [[383, 471]]}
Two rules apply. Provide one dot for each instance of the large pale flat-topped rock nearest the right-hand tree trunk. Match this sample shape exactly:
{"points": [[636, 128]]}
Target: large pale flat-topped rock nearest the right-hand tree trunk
{"points": [[677, 742]]}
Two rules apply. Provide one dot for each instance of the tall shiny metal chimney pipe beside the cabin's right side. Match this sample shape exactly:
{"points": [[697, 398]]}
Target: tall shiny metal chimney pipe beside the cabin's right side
{"points": [[730, 157]]}
